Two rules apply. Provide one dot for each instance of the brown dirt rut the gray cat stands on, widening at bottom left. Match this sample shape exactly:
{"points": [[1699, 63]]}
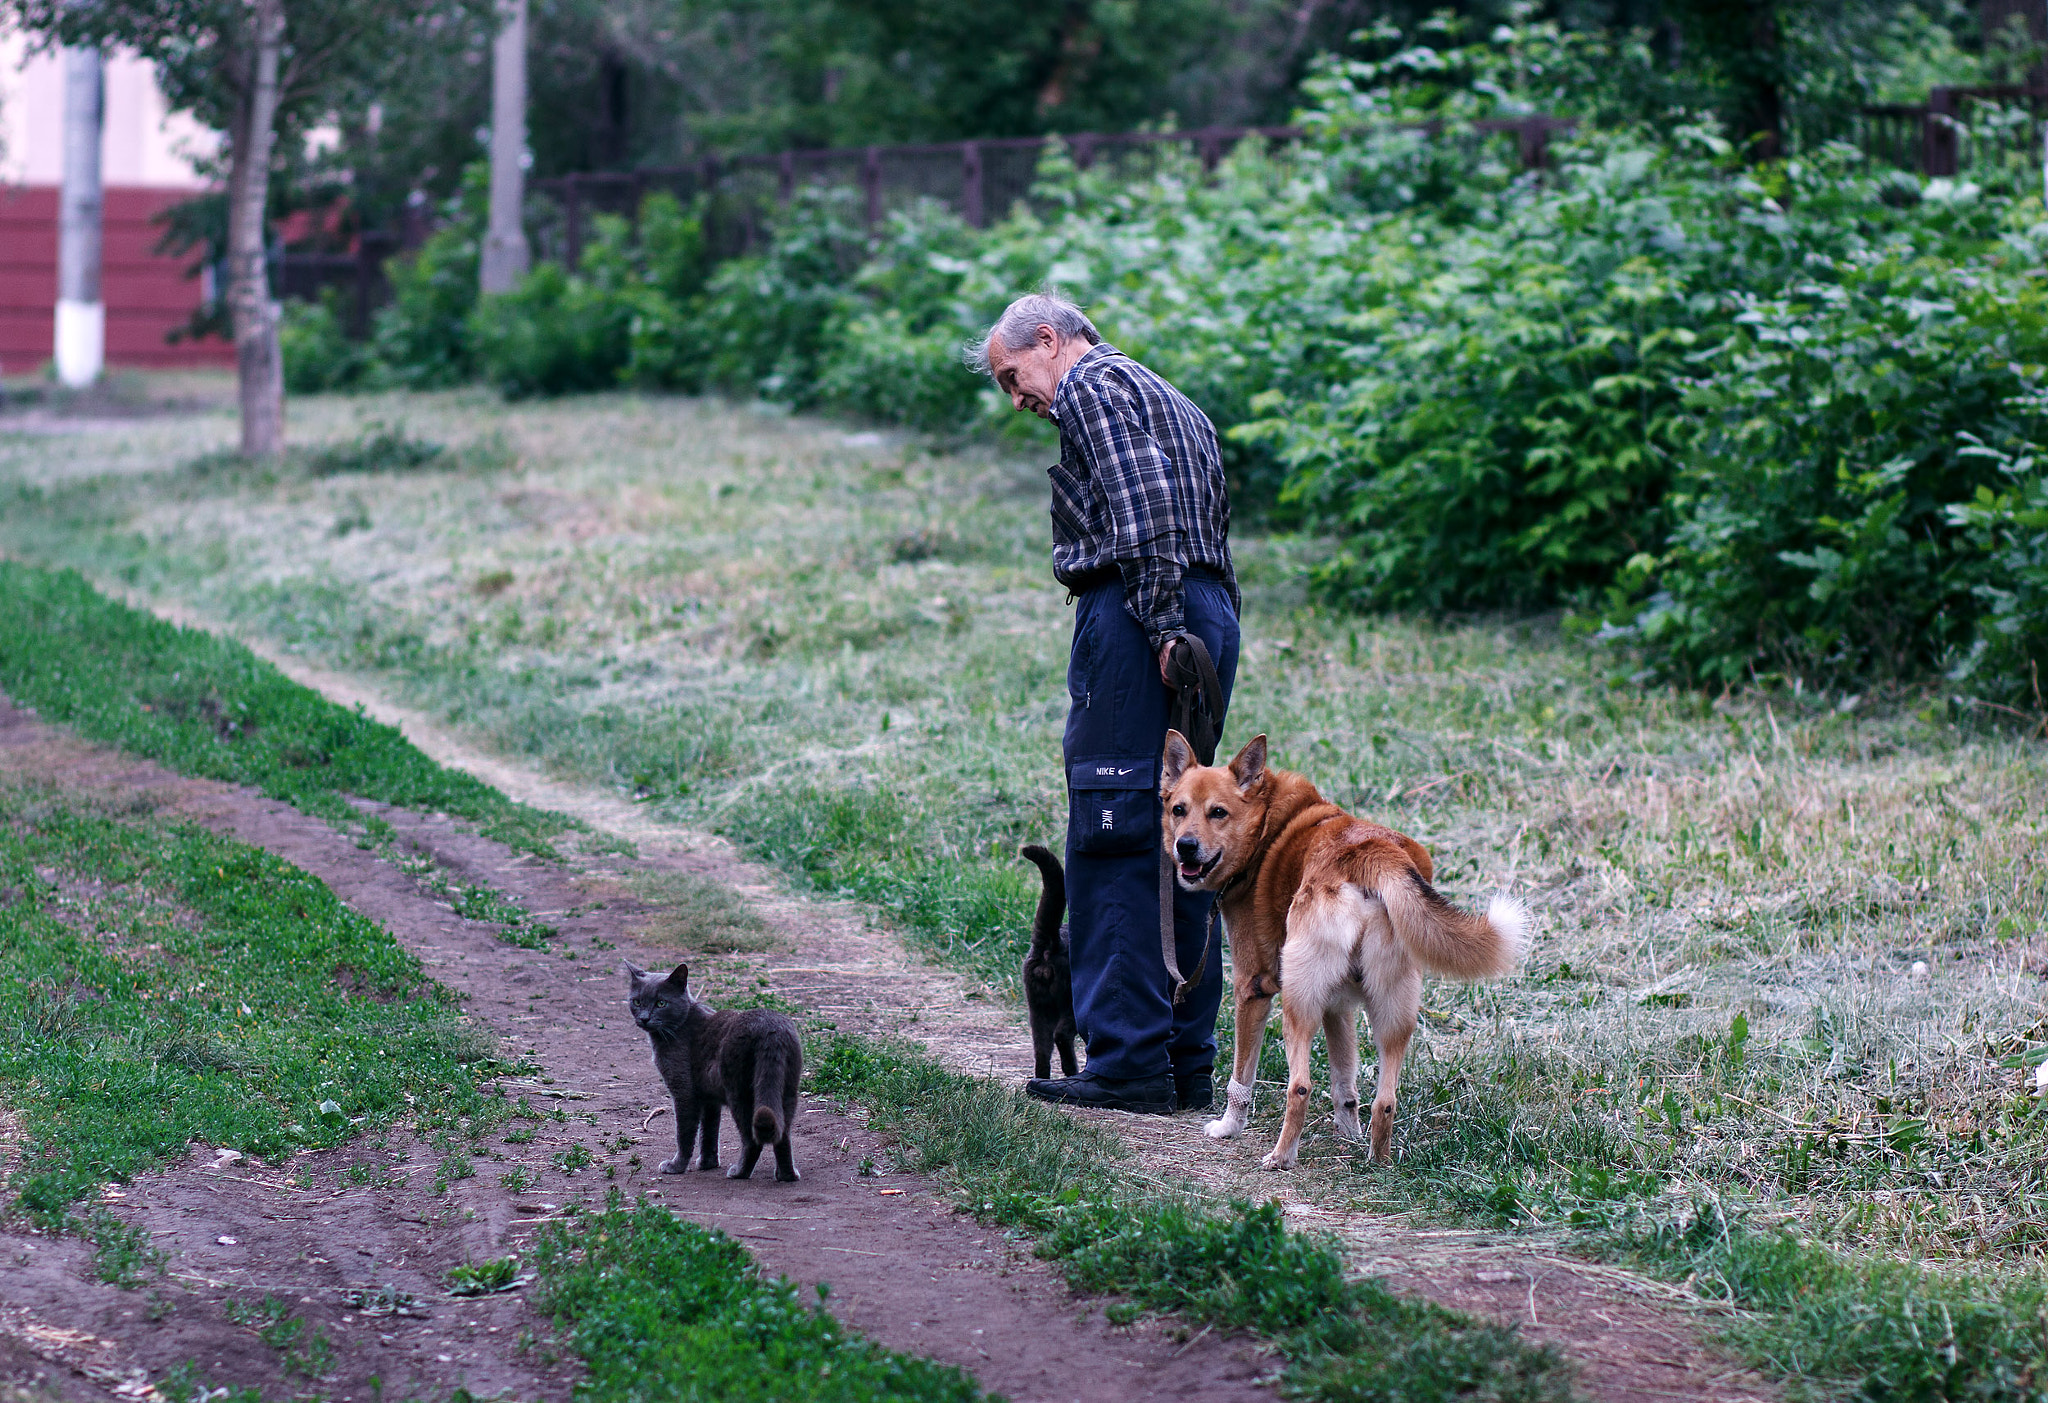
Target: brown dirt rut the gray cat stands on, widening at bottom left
{"points": [[364, 1267]]}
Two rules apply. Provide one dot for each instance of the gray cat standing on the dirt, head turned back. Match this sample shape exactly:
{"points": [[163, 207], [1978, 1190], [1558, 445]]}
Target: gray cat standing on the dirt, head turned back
{"points": [[749, 1060]]}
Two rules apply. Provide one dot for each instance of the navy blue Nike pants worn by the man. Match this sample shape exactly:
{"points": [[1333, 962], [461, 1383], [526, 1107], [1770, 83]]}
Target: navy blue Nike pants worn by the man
{"points": [[1123, 1001]]}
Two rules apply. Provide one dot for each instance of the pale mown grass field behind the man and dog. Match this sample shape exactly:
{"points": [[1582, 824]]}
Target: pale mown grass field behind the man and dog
{"points": [[845, 650]]}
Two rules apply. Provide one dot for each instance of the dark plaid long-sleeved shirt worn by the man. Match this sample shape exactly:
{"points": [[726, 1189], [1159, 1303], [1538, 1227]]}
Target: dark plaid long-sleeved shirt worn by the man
{"points": [[1138, 488]]}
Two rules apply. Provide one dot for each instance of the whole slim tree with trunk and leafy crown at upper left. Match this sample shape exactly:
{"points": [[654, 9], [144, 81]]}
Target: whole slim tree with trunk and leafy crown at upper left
{"points": [[261, 73]]}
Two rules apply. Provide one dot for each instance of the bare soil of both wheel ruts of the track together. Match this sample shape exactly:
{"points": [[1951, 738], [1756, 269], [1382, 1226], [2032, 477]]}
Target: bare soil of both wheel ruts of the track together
{"points": [[902, 1267]]}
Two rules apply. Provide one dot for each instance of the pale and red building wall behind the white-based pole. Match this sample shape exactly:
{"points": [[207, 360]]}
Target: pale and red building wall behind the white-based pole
{"points": [[146, 165]]}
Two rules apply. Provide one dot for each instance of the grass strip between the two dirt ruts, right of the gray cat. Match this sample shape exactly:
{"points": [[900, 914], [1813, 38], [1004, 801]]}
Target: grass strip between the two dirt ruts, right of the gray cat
{"points": [[1033, 1168]]}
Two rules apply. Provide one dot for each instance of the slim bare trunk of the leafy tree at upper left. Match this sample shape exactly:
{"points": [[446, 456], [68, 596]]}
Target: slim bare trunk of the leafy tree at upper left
{"points": [[259, 357]]}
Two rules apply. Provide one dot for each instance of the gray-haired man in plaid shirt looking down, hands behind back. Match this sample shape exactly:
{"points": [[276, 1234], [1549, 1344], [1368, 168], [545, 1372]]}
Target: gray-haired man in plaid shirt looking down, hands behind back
{"points": [[1140, 540]]}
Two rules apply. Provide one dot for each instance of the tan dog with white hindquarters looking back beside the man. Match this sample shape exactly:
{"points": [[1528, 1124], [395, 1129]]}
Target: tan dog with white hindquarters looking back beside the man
{"points": [[1336, 908]]}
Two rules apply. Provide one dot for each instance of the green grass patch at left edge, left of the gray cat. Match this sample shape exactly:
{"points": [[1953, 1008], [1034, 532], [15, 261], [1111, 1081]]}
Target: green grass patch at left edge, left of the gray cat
{"points": [[163, 986]]}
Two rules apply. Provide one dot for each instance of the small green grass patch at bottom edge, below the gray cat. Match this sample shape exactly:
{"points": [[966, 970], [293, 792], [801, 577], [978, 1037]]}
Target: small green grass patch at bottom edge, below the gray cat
{"points": [[658, 1308]]}
